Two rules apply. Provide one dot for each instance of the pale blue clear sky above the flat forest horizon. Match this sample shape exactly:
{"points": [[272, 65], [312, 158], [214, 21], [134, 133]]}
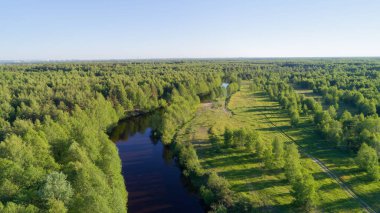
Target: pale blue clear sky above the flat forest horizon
{"points": [[145, 29]]}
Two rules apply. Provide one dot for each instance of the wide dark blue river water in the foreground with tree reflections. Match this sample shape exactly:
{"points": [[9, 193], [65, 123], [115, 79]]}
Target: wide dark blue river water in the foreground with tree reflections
{"points": [[153, 179]]}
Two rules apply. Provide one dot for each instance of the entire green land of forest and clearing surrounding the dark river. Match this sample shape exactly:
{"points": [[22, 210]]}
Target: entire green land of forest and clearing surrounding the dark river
{"points": [[285, 135]]}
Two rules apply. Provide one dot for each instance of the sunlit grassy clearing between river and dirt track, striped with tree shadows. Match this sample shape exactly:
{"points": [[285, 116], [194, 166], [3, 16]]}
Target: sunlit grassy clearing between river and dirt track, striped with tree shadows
{"points": [[267, 189]]}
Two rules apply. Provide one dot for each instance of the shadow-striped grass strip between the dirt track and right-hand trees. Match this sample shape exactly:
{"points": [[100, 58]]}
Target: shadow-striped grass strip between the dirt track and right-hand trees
{"points": [[341, 162]]}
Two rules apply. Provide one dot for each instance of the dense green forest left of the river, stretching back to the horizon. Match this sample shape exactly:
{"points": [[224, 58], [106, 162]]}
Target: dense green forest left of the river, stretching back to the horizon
{"points": [[55, 154]]}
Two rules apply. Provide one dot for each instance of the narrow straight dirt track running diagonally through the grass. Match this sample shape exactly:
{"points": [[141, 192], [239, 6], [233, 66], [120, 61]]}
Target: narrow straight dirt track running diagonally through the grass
{"points": [[326, 170]]}
